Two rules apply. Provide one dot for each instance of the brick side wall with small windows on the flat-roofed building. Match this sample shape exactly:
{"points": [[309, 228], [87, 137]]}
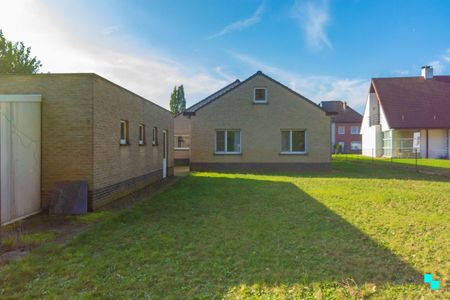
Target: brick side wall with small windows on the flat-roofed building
{"points": [[114, 162]]}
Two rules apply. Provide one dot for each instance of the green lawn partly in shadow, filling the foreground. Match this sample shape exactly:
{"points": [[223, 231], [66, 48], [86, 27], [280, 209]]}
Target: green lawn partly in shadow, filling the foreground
{"points": [[360, 231]]}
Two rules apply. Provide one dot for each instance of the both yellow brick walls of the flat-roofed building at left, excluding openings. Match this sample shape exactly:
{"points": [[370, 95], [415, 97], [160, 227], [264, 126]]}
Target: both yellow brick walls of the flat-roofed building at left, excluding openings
{"points": [[81, 129]]}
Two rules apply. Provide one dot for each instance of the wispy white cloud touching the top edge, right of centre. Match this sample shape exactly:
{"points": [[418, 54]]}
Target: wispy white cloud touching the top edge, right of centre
{"points": [[312, 18]]}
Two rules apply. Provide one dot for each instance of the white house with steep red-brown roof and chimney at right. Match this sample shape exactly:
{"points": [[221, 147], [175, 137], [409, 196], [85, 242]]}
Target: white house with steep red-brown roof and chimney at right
{"points": [[405, 115]]}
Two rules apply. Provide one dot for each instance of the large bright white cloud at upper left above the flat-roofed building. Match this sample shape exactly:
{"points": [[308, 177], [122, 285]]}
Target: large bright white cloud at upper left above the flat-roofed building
{"points": [[63, 48]]}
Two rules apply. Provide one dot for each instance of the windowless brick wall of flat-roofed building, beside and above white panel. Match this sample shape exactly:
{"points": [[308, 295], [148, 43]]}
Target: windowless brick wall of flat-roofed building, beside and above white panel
{"points": [[66, 144]]}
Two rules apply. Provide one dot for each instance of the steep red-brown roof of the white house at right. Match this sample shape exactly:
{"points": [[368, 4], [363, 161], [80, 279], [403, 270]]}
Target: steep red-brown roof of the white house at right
{"points": [[413, 102]]}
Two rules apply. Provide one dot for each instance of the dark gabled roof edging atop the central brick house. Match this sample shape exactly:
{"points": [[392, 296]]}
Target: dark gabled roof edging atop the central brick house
{"points": [[191, 110]]}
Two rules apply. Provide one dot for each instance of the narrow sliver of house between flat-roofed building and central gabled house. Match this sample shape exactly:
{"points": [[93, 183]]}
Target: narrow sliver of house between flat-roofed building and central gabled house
{"points": [[182, 140]]}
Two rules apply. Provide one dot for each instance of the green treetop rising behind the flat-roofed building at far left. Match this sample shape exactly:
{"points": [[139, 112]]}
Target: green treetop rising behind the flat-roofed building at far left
{"points": [[15, 58]]}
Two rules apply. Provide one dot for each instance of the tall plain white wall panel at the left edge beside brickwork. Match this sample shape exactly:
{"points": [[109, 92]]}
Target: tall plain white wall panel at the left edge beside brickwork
{"points": [[20, 156]]}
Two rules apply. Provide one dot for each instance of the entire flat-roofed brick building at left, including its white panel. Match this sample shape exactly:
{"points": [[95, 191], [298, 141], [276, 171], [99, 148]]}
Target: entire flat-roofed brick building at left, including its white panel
{"points": [[72, 127]]}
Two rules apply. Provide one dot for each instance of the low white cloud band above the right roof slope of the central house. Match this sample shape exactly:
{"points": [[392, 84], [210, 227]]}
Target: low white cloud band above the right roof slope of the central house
{"points": [[316, 88]]}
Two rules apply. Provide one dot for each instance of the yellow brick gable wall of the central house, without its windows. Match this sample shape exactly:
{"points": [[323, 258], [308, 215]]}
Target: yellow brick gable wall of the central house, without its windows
{"points": [[260, 126]]}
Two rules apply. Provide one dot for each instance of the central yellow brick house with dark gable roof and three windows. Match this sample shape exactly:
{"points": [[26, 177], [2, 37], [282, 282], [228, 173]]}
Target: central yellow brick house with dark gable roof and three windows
{"points": [[256, 125]]}
